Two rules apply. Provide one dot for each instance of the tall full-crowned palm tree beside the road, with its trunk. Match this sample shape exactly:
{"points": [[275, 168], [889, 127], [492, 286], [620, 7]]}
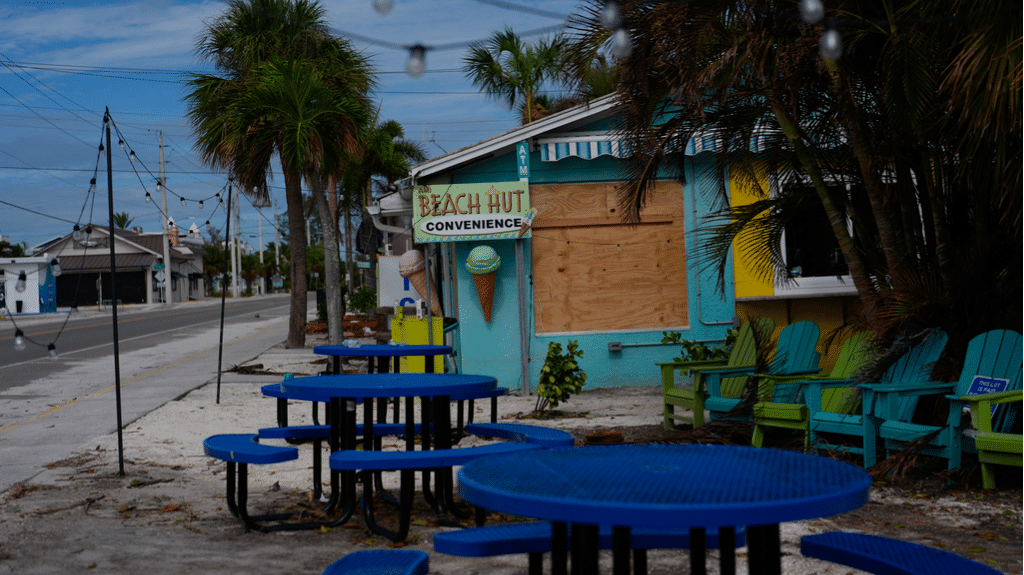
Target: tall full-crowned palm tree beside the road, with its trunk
{"points": [[254, 112]]}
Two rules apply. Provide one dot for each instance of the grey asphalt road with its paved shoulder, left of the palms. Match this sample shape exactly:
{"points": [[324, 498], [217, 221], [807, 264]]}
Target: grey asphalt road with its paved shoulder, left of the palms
{"points": [[50, 409]]}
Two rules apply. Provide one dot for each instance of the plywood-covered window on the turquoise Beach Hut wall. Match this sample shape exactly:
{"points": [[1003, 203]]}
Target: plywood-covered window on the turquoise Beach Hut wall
{"points": [[592, 274]]}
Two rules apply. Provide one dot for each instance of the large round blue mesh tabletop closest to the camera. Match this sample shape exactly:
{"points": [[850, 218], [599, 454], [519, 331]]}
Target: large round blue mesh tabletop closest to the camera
{"points": [[665, 486]]}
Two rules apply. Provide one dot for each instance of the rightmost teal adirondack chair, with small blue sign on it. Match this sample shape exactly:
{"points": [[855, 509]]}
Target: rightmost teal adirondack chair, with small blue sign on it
{"points": [[995, 360]]}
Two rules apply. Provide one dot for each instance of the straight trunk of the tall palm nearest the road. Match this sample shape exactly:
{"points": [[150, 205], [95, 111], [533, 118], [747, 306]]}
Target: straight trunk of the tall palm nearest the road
{"points": [[297, 241]]}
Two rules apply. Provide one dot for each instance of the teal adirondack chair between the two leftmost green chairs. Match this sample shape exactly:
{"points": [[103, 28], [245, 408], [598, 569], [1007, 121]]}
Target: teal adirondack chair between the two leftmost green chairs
{"points": [[795, 356]]}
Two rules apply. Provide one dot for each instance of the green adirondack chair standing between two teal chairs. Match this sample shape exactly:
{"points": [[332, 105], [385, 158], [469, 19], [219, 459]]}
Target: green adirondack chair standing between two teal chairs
{"points": [[789, 410]]}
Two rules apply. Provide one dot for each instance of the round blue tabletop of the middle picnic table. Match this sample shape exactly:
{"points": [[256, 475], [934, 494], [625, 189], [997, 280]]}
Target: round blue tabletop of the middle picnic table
{"points": [[325, 388]]}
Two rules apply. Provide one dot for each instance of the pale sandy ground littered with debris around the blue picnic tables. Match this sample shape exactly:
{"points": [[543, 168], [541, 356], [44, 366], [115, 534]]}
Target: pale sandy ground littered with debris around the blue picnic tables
{"points": [[168, 513]]}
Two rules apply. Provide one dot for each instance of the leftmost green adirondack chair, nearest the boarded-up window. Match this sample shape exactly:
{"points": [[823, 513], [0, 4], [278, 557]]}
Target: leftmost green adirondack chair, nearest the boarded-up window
{"points": [[744, 356]]}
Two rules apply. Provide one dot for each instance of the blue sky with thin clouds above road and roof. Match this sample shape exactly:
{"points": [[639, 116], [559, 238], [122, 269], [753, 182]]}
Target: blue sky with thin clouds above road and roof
{"points": [[66, 62]]}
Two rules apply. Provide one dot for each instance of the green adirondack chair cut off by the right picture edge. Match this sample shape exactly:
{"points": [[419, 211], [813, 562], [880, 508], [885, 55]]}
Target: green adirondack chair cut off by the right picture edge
{"points": [[996, 448]]}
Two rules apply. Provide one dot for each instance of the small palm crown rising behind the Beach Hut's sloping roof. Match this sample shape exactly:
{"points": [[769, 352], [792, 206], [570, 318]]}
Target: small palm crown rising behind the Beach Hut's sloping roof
{"points": [[510, 70]]}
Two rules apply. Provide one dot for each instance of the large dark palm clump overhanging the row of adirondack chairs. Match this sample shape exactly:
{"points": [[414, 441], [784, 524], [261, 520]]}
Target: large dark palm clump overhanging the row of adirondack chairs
{"points": [[920, 120]]}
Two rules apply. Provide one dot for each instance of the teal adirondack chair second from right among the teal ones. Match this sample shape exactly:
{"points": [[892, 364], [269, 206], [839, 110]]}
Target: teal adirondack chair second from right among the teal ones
{"points": [[913, 368]]}
